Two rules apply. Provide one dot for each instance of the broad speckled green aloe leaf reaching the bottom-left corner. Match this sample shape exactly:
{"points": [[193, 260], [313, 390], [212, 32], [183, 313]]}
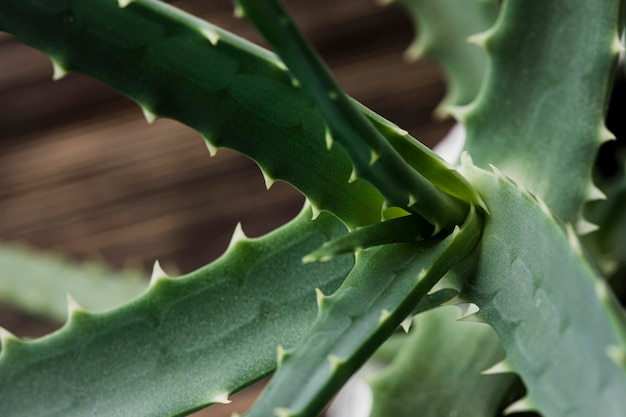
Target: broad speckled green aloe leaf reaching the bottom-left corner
{"points": [[186, 342]]}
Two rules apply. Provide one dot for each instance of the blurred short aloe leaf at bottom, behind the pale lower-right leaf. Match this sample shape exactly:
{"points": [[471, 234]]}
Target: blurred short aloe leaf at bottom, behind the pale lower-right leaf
{"points": [[437, 371]]}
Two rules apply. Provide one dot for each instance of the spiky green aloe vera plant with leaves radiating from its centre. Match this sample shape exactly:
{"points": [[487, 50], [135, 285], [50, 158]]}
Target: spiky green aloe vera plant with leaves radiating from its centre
{"points": [[390, 231]]}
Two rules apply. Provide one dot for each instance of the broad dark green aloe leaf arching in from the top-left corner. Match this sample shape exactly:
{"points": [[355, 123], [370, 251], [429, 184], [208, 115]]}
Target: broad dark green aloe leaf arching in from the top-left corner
{"points": [[236, 94]]}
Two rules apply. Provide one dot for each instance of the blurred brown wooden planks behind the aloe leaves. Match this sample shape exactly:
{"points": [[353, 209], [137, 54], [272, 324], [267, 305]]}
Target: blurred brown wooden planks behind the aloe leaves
{"points": [[83, 174]]}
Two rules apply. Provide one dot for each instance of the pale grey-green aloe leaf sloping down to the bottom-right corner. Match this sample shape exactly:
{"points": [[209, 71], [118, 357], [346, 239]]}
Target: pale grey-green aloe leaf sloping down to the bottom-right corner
{"points": [[561, 327]]}
